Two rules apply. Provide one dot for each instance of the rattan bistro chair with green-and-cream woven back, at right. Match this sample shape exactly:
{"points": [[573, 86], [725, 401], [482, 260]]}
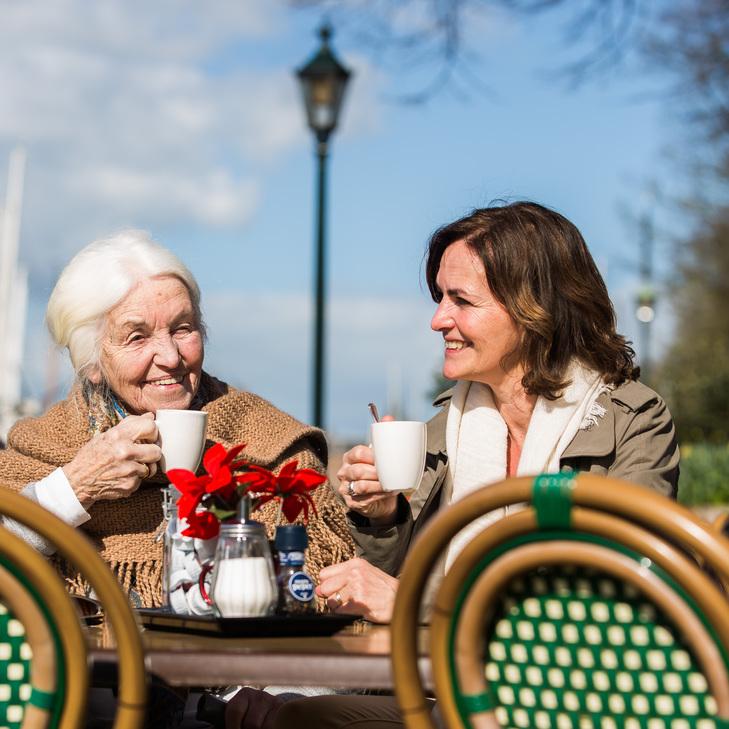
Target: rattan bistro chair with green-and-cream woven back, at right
{"points": [[582, 609]]}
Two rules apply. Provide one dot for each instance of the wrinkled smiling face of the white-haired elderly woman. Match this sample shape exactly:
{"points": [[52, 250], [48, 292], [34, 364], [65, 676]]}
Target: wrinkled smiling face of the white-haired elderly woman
{"points": [[152, 347]]}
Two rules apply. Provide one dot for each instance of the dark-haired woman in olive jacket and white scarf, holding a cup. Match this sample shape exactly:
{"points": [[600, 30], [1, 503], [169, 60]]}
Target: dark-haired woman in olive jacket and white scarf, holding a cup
{"points": [[544, 384]]}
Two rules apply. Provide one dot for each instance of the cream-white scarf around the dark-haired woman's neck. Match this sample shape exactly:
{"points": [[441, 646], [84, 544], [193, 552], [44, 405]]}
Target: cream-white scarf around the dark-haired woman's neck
{"points": [[476, 437]]}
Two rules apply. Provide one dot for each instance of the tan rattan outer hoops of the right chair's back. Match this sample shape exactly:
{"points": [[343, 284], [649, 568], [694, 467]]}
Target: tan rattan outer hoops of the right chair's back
{"points": [[600, 505]]}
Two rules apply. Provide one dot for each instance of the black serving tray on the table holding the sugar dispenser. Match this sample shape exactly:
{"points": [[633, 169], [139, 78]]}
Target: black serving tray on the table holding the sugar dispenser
{"points": [[266, 626]]}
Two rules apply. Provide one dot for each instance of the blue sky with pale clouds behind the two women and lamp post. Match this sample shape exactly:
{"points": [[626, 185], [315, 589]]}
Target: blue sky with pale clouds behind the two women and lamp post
{"points": [[186, 121]]}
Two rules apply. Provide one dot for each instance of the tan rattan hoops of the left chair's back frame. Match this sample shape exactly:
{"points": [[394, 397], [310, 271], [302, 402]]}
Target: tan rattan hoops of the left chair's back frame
{"points": [[79, 551]]}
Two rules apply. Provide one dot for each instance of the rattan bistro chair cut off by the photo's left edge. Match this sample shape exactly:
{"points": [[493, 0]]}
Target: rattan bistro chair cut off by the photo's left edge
{"points": [[44, 671]]}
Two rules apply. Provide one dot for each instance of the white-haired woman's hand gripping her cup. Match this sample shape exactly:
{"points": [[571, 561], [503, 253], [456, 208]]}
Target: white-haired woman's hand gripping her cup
{"points": [[113, 464]]}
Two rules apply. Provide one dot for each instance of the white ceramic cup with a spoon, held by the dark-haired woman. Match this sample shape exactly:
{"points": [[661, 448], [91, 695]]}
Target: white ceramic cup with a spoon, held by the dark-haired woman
{"points": [[399, 447]]}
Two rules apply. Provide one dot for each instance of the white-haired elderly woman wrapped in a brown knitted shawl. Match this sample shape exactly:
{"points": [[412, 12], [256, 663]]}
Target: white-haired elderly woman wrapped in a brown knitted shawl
{"points": [[128, 311]]}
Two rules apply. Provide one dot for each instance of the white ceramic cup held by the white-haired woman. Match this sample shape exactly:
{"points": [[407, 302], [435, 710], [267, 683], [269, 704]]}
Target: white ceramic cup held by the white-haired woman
{"points": [[181, 438]]}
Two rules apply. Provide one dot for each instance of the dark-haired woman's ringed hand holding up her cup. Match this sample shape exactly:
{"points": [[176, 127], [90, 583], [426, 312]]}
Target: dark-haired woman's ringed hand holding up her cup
{"points": [[361, 490]]}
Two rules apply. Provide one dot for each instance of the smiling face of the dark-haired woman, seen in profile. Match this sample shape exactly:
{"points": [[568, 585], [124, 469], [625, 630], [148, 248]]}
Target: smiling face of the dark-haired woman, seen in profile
{"points": [[477, 329]]}
